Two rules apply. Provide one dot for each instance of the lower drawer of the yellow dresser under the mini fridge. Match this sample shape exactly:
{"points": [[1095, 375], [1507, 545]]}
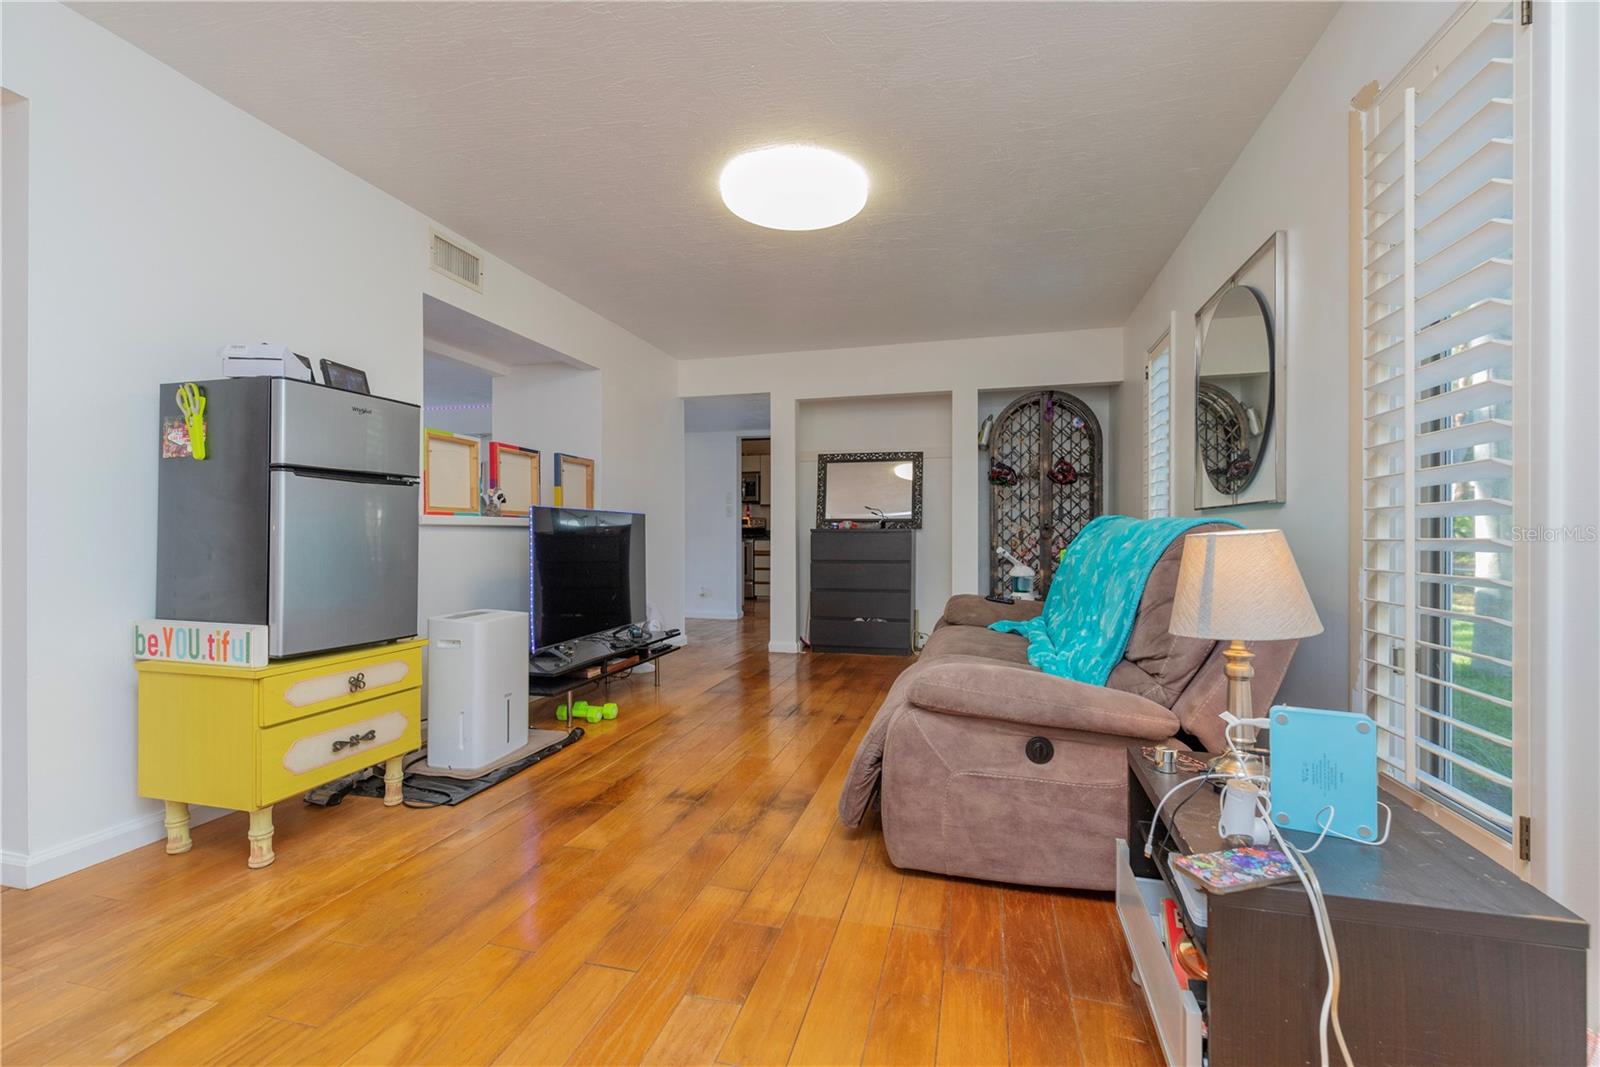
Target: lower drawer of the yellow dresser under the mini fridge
{"points": [[300, 756]]}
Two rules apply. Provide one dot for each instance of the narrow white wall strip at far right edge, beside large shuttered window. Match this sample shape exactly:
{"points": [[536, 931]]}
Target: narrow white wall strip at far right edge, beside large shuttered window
{"points": [[1566, 490]]}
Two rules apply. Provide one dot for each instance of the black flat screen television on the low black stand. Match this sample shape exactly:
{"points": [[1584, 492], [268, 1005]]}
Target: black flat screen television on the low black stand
{"points": [[586, 573]]}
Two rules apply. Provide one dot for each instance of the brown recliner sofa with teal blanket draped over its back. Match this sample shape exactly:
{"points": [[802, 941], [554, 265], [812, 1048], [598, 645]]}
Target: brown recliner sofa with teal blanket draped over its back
{"points": [[948, 753]]}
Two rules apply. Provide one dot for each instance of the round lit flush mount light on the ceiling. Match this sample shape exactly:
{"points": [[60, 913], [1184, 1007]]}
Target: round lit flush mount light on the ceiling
{"points": [[794, 188]]}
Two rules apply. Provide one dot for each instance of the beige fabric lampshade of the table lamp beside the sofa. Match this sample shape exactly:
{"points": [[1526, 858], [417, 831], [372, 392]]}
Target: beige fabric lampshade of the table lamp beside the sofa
{"points": [[1242, 586]]}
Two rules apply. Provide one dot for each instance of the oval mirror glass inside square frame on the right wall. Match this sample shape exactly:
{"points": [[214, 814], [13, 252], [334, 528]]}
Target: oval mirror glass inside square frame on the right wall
{"points": [[1234, 390]]}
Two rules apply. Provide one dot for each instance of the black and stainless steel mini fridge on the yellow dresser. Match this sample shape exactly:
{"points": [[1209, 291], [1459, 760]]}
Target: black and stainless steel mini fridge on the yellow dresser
{"points": [[303, 514]]}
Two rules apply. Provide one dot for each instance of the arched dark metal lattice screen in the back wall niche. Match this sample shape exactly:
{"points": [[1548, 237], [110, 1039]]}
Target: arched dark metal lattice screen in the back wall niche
{"points": [[1046, 482]]}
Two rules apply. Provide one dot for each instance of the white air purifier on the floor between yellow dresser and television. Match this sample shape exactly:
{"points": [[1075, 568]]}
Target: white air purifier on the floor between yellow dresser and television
{"points": [[478, 687]]}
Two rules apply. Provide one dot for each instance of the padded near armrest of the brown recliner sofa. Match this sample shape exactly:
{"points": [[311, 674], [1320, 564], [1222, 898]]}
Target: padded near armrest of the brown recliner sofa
{"points": [[1031, 698]]}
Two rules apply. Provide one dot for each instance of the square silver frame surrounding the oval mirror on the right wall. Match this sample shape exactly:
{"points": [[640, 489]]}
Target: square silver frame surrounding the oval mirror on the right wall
{"points": [[1266, 276]]}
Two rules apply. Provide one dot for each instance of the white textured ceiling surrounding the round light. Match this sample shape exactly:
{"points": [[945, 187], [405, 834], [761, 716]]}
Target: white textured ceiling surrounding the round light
{"points": [[1033, 164]]}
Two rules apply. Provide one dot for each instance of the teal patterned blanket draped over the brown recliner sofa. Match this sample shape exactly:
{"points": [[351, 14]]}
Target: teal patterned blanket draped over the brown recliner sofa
{"points": [[1094, 601]]}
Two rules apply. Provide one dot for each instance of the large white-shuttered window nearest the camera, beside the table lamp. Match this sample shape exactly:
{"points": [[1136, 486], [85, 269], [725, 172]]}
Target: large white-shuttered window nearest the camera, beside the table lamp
{"points": [[1442, 593]]}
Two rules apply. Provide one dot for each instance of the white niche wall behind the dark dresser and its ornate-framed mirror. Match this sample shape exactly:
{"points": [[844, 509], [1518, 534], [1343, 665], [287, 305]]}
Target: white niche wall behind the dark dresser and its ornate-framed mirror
{"points": [[884, 425]]}
